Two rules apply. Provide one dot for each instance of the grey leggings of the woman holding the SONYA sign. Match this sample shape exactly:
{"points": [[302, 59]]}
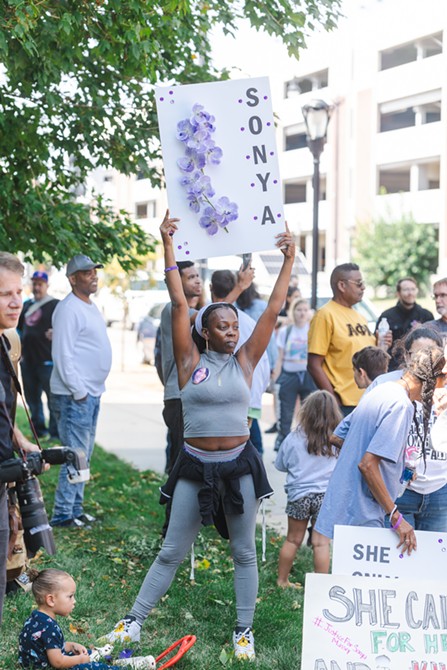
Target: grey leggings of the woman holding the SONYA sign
{"points": [[183, 529]]}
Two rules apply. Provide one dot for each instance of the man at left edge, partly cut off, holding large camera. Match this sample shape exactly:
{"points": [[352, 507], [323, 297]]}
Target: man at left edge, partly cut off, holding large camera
{"points": [[11, 273]]}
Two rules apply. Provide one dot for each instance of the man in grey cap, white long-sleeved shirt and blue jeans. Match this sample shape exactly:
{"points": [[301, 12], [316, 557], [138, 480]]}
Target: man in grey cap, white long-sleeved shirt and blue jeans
{"points": [[82, 358]]}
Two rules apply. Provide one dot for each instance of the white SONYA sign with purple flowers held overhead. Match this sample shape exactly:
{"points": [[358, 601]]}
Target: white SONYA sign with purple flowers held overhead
{"points": [[221, 167]]}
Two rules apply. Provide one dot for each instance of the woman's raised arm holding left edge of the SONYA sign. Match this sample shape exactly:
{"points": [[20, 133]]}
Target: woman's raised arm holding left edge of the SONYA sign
{"points": [[185, 351]]}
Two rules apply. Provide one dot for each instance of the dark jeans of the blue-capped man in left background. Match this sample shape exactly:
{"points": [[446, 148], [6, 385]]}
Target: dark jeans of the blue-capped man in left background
{"points": [[36, 380]]}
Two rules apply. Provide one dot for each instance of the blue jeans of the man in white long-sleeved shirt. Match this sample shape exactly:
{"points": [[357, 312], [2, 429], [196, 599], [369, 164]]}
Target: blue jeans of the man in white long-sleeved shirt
{"points": [[76, 421]]}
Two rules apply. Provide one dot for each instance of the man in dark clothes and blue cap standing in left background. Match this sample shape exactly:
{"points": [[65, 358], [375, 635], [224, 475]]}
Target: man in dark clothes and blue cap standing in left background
{"points": [[36, 363]]}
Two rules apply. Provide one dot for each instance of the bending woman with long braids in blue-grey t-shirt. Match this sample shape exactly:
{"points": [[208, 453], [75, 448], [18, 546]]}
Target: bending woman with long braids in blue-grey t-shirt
{"points": [[365, 481]]}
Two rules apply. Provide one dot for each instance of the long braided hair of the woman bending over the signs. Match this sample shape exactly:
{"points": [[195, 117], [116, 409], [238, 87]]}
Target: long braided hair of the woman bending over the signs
{"points": [[426, 366]]}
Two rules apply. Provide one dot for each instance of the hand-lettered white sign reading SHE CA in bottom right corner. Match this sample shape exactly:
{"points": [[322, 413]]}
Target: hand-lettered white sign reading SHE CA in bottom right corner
{"points": [[374, 624]]}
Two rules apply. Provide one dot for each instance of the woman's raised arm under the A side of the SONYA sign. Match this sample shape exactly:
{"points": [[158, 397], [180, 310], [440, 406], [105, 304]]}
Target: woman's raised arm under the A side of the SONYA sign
{"points": [[250, 353]]}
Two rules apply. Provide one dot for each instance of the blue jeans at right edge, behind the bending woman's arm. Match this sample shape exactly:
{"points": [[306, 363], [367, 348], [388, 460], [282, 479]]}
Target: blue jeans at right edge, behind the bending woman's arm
{"points": [[424, 512]]}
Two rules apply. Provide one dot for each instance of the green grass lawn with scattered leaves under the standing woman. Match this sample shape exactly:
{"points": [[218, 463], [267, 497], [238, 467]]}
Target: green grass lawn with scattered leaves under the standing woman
{"points": [[109, 562]]}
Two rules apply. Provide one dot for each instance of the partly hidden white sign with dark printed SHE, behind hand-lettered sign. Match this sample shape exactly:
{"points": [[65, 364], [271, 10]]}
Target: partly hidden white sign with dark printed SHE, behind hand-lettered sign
{"points": [[372, 552]]}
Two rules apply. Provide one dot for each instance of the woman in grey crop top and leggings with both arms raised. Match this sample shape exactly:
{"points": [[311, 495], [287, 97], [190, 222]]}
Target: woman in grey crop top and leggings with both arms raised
{"points": [[219, 477]]}
